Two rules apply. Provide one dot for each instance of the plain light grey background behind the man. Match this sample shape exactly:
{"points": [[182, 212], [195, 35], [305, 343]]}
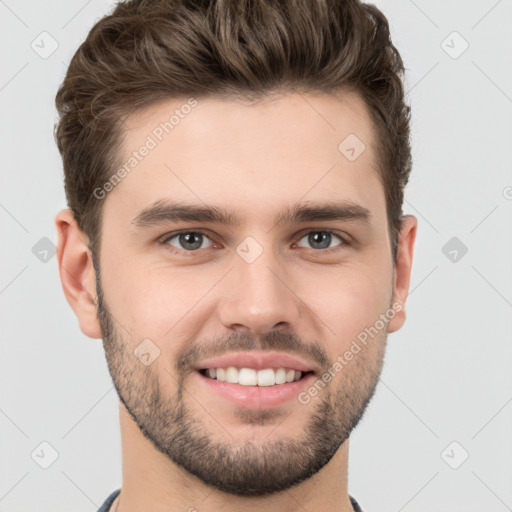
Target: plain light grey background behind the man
{"points": [[447, 375]]}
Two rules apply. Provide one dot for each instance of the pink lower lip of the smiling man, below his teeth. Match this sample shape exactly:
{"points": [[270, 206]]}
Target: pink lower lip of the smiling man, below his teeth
{"points": [[256, 397]]}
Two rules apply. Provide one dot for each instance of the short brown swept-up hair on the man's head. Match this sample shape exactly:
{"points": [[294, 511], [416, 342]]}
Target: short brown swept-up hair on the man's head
{"points": [[147, 51]]}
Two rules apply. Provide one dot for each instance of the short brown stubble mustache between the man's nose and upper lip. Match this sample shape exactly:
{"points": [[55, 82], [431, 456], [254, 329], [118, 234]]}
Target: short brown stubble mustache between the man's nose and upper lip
{"points": [[282, 341]]}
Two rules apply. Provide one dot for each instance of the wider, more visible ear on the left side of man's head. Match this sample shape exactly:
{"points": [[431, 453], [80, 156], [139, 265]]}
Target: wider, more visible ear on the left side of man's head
{"points": [[77, 273]]}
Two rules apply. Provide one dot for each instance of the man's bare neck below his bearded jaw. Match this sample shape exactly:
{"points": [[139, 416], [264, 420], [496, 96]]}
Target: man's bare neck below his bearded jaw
{"points": [[150, 477]]}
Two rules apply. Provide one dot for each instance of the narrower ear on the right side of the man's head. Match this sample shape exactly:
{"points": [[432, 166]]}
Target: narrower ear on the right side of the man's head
{"points": [[402, 271]]}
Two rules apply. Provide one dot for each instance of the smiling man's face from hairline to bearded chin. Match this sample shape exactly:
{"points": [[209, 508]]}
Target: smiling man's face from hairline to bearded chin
{"points": [[244, 248]]}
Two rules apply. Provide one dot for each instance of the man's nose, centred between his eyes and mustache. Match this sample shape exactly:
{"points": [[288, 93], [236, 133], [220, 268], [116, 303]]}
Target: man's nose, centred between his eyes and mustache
{"points": [[259, 297]]}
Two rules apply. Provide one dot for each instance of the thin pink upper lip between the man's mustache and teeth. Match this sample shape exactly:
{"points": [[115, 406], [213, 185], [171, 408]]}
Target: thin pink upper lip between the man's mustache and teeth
{"points": [[256, 360]]}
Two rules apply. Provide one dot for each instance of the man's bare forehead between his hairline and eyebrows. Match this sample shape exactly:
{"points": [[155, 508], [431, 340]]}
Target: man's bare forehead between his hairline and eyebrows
{"points": [[252, 156]]}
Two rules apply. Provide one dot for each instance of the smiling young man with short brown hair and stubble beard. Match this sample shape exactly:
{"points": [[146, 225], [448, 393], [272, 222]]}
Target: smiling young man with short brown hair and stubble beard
{"points": [[234, 173]]}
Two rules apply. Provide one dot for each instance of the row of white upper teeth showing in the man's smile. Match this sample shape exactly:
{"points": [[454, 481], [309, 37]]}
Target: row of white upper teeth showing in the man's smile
{"points": [[252, 377]]}
